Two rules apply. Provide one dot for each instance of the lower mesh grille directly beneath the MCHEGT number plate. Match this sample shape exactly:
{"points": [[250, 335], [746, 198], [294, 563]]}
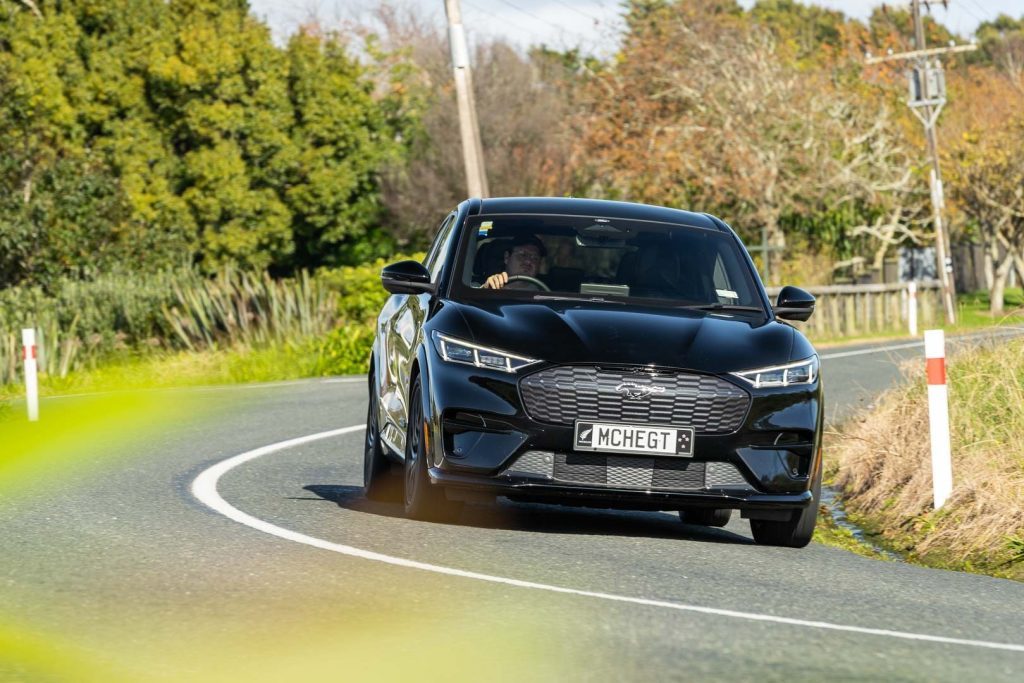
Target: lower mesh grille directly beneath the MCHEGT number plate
{"points": [[630, 472]]}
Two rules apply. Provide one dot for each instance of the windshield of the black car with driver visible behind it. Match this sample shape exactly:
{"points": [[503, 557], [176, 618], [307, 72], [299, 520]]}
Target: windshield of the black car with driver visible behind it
{"points": [[543, 258]]}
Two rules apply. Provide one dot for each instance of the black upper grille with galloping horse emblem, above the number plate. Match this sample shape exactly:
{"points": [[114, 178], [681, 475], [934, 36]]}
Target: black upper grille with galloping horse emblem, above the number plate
{"points": [[567, 394]]}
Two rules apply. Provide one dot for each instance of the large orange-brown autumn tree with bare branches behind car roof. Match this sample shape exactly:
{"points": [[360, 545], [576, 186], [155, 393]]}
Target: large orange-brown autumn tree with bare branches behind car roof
{"points": [[728, 121]]}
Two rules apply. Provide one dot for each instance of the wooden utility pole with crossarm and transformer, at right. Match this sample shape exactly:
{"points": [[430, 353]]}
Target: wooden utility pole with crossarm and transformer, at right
{"points": [[928, 96]]}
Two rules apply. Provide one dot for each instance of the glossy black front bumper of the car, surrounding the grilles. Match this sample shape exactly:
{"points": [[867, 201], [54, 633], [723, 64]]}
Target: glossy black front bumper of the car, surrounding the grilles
{"points": [[482, 435]]}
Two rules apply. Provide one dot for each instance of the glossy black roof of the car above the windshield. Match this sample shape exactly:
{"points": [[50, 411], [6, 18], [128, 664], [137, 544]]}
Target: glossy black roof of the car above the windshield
{"points": [[599, 208]]}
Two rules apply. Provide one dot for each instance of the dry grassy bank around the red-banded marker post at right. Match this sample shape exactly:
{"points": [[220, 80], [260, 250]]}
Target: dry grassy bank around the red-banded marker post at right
{"points": [[882, 462]]}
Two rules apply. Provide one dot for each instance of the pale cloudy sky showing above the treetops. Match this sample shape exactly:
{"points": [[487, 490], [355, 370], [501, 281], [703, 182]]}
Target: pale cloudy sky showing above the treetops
{"points": [[591, 24]]}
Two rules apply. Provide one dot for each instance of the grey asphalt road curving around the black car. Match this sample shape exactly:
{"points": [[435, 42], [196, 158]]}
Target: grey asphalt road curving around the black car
{"points": [[127, 568]]}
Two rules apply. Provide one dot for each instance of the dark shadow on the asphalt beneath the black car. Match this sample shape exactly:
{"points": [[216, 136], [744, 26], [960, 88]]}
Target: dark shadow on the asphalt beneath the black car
{"points": [[544, 519]]}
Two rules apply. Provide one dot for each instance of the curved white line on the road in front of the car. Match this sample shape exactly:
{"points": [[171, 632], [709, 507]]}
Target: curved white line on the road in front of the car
{"points": [[205, 490]]}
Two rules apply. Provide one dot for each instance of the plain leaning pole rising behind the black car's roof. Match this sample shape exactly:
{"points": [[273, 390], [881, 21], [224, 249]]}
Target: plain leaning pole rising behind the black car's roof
{"points": [[473, 150]]}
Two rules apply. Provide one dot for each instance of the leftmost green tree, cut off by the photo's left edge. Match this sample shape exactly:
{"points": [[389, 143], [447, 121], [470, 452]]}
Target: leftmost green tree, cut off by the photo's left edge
{"points": [[62, 209]]}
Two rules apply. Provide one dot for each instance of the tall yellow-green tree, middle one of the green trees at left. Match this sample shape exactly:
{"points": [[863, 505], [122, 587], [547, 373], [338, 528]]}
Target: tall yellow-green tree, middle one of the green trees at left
{"points": [[220, 94]]}
